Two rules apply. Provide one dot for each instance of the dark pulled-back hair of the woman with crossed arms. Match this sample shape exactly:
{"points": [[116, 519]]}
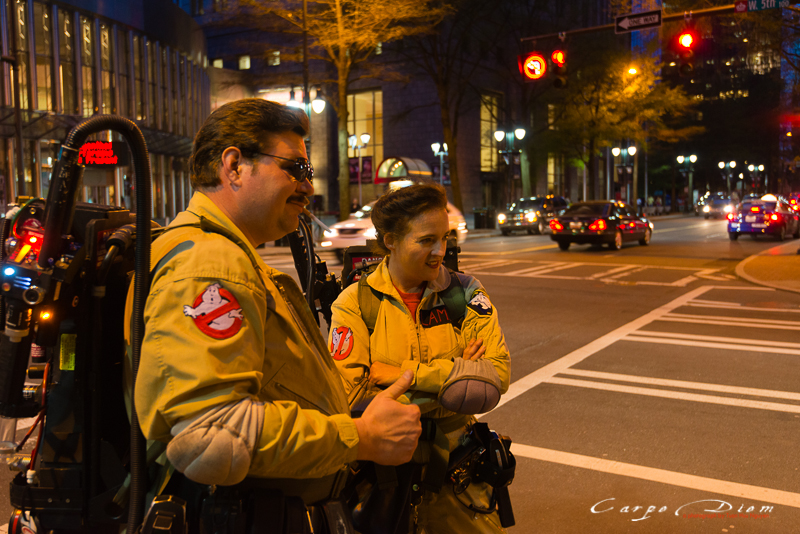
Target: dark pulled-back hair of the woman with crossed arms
{"points": [[393, 211]]}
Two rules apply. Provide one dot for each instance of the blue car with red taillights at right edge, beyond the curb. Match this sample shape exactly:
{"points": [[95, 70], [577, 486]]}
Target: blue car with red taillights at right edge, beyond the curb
{"points": [[768, 215]]}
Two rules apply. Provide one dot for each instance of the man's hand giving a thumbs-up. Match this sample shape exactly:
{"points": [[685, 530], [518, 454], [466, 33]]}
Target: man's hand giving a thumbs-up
{"points": [[388, 431]]}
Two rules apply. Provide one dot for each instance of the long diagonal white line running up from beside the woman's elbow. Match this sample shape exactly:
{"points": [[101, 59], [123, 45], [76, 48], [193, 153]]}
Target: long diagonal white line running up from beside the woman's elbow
{"points": [[550, 370]]}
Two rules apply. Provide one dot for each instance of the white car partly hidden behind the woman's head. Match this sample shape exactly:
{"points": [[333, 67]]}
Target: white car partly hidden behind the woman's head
{"points": [[358, 228]]}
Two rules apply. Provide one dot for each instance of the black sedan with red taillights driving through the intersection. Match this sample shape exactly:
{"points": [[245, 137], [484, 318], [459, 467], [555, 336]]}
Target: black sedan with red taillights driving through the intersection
{"points": [[600, 222]]}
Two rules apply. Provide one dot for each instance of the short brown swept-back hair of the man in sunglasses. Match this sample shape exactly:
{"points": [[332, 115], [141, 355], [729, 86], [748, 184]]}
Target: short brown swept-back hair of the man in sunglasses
{"points": [[244, 124]]}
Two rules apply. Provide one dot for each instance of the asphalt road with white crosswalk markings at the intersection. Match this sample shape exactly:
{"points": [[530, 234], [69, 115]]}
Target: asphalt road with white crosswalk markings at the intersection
{"points": [[651, 391]]}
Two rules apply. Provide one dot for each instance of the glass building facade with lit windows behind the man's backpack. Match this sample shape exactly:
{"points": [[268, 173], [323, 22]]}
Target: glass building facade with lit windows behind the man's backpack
{"points": [[141, 59]]}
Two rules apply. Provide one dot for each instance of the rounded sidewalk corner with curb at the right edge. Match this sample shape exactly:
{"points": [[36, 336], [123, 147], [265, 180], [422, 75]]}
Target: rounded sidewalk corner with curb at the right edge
{"points": [[777, 267]]}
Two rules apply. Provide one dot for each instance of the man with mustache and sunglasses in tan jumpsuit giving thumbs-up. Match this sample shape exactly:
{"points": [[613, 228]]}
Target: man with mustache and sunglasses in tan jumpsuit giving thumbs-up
{"points": [[234, 373]]}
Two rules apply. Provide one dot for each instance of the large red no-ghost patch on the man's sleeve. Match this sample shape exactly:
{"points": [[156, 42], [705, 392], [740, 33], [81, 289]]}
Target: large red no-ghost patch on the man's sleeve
{"points": [[216, 312]]}
